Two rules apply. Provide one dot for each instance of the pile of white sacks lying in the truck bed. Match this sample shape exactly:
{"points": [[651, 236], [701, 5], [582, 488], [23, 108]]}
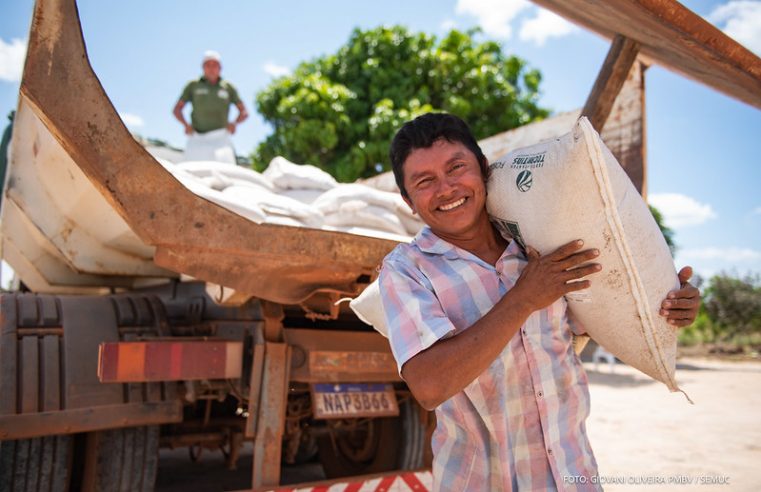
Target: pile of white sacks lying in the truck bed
{"points": [[298, 195]]}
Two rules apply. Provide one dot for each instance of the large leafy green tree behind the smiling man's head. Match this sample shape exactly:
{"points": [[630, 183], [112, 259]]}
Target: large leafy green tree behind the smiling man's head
{"points": [[340, 111]]}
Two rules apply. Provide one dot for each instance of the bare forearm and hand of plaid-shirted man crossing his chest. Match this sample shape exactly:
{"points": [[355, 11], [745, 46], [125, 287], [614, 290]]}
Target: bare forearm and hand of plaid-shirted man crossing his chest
{"points": [[448, 366]]}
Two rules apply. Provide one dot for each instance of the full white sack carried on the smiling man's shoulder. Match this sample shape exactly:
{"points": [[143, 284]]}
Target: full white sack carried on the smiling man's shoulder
{"points": [[551, 193]]}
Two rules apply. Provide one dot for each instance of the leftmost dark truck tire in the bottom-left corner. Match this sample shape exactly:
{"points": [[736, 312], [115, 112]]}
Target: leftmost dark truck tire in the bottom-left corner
{"points": [[38, 464]]}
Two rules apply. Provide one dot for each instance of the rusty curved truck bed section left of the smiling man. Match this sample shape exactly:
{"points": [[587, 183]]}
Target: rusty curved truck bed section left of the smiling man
{"points": [[86, 208]]}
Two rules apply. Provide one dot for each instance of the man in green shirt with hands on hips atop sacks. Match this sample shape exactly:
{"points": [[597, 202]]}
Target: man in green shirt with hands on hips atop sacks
{"points": [[211, 96]]}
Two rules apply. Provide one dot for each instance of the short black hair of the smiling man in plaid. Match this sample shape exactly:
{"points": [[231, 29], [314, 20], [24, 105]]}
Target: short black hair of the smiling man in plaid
{"points": [[423, 132]]}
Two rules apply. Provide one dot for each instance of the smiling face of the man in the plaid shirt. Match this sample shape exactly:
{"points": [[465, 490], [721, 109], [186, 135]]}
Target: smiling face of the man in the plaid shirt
{"points": [[446, 188]]}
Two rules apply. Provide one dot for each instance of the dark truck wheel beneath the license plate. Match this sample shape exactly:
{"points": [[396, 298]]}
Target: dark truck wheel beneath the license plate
{"points": [[375, 445]]}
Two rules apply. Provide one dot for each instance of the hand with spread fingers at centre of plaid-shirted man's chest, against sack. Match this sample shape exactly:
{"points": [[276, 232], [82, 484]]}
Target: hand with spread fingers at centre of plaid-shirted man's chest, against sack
{"points": [[547, 278]]}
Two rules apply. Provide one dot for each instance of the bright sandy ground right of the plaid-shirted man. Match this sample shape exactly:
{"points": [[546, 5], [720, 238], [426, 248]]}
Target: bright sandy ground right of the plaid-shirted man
{"points": [[646, 438]]}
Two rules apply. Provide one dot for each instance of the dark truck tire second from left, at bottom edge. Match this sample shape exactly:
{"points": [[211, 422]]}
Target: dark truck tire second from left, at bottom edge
{"points": [[119, 460]]}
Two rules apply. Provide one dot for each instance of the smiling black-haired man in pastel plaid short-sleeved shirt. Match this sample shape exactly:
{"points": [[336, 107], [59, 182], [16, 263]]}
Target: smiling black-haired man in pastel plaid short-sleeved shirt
{"points": [[479, 329]]}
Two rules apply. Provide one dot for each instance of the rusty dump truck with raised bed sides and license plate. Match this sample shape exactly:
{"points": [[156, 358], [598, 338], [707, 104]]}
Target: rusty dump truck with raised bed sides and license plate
{"points": [[149, 316]]}
